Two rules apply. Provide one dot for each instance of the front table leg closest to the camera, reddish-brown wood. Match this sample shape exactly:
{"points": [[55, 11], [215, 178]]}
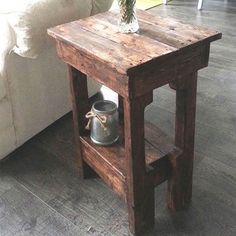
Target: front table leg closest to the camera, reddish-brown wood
{"points": [[140, 193]]}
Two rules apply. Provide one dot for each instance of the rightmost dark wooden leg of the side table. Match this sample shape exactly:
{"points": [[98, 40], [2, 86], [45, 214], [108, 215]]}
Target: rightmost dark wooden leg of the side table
{"points": [[180, 180]]}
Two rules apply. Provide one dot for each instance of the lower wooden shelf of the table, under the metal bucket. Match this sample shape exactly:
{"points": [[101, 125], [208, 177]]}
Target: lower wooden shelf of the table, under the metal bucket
{"points": [[109, 162]]}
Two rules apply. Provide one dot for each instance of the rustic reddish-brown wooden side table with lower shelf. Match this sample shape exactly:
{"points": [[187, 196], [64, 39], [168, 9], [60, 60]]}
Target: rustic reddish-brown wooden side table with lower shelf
{"points": [[164, 51]]}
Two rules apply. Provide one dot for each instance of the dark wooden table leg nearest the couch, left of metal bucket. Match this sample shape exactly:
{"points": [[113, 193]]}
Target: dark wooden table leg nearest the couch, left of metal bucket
{"points": [[80, 106]]}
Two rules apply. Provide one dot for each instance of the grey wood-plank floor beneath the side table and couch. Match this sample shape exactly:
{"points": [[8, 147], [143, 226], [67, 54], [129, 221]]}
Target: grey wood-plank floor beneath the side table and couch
{"points": [[40, 193]]}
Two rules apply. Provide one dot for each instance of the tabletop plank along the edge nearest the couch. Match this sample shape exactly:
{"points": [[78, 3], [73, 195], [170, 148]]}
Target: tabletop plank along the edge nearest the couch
{"points": [[113, 54]]}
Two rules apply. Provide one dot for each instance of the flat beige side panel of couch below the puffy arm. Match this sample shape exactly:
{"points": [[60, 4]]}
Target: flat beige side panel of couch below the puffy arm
{"points": [[41, 94]]}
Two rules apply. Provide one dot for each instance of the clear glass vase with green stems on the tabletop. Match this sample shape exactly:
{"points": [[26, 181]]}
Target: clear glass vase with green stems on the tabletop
{"points": [[128, 22]]}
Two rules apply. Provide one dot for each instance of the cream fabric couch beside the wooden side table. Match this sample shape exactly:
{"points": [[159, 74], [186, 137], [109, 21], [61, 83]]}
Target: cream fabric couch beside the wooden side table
{"points": [[34, 90]]}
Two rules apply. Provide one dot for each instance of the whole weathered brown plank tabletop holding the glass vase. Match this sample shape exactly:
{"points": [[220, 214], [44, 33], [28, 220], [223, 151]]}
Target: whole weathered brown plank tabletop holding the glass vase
{"points": [[98, 38]]}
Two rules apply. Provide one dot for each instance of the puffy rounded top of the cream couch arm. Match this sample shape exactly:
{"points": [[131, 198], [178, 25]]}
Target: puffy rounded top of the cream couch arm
{"points": [[31, 18]]}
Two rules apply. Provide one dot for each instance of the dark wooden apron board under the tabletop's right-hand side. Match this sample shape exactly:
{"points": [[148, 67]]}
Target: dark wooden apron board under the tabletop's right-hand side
{"points": [[155, 75]]}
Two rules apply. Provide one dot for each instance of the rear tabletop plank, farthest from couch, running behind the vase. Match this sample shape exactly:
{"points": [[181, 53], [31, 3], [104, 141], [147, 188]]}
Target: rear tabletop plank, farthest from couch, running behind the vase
{"points": [[165, 29]]}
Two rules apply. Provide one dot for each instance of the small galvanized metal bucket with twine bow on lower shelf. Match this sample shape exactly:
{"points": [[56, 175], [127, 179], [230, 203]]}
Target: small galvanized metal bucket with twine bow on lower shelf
{"points": [[103, 123]]}
